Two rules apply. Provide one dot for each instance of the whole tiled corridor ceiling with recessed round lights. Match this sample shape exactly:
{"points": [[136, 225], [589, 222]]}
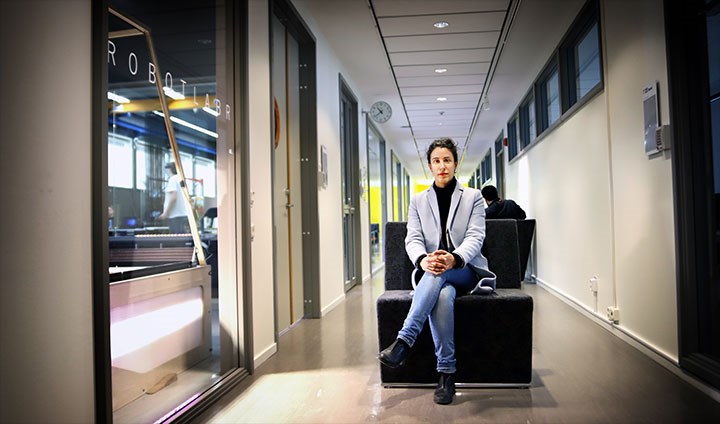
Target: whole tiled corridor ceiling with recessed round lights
{"points": [[490, 51]]}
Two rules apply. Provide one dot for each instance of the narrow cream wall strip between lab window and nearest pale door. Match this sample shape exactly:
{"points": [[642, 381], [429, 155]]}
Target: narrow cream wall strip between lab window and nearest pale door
{"points": [[263, 295]]}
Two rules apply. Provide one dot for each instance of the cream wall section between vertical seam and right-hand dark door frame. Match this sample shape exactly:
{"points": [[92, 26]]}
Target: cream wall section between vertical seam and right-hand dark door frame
{"points": [[642, 187]]}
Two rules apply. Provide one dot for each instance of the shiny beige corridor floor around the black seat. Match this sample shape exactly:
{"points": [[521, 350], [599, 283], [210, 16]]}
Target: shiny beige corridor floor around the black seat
{"points": [[325, 371]]}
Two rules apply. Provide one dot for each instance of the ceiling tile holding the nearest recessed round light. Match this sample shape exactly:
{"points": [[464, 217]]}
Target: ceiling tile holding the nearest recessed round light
{"points": [[421, 25]]}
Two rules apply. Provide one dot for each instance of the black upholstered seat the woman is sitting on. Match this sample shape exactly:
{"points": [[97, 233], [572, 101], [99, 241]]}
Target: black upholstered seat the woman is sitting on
{"points": [[493, 333]]}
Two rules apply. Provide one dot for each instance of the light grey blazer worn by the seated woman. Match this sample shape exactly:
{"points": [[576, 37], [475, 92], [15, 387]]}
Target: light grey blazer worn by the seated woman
{"points": [[465, 228]]}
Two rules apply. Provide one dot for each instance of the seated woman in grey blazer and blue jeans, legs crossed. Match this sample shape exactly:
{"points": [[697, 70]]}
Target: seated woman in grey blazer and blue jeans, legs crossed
{"points": [[445, 232]]}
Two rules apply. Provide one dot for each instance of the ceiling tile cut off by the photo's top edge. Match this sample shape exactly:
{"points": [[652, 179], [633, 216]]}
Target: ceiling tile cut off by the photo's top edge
{"points": [[386, 8]]}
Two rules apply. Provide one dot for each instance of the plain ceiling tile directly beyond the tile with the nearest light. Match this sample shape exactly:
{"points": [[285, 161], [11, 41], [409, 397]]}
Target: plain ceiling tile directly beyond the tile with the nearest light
{"points": [[439, 42]]}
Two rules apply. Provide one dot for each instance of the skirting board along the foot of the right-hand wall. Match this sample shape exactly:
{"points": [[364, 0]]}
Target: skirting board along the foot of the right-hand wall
{"points": [[629, 338]]}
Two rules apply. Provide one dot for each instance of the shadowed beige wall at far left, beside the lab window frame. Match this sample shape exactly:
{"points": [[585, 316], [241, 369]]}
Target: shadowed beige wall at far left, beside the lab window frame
{"points": [[46, 340]]}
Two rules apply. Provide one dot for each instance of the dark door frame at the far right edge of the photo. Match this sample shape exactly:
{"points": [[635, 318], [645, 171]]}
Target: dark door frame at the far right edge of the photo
{"points": [[687, 61]]}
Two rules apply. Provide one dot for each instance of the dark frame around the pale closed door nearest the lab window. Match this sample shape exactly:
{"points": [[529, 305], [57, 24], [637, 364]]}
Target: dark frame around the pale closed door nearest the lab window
{"points": [[289, 16]]}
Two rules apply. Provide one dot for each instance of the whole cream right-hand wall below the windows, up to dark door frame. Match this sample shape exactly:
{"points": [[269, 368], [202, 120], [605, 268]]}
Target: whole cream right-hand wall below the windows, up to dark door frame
{"points": [[603, 207]]}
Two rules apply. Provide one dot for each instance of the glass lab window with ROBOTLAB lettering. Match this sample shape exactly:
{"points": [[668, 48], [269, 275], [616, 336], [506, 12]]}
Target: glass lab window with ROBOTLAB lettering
{"points": [[172, 225]]}
